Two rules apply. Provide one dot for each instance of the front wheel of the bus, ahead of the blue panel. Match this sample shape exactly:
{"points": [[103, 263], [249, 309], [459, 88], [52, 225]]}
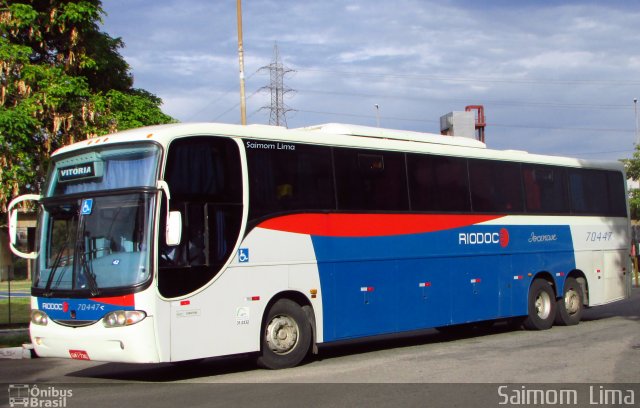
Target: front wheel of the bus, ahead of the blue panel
{"points": [[286, 338]]}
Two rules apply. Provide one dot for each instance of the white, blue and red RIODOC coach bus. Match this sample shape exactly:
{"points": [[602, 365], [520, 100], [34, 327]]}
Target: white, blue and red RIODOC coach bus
{"points": [[188, 241]]}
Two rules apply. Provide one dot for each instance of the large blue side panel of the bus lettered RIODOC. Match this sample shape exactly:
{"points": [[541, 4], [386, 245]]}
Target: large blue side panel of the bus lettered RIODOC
{"points": [[386, 284]]}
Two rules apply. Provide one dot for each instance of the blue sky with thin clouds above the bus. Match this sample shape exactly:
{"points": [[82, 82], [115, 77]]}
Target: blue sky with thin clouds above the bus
{"points": [[554, 77]]}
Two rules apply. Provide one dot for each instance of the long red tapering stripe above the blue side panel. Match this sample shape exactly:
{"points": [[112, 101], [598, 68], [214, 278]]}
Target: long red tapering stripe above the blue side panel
{"points": [[370, 225]]}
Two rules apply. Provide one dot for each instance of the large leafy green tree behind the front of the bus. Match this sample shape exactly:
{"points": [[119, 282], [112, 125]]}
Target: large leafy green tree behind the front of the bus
{"points": [[62, 80]]}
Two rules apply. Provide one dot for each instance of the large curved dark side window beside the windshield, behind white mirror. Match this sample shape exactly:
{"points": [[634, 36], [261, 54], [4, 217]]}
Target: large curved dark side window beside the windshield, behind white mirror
{"points": [[205, 182]]}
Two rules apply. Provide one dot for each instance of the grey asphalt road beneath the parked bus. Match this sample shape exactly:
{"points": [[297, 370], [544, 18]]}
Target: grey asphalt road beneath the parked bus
{"points": [[603, 349]]}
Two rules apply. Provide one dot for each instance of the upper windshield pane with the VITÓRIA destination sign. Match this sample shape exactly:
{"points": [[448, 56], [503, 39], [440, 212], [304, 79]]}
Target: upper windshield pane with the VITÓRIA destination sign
{"points": [[106, 168]]}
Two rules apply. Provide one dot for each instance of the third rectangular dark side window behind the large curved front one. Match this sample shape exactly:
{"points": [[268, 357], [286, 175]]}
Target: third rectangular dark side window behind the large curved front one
{"points": [[438, 183]]}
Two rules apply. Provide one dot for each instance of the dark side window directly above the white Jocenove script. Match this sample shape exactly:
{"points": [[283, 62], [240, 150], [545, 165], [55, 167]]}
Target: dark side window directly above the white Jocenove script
{"points": [[545, 189]]}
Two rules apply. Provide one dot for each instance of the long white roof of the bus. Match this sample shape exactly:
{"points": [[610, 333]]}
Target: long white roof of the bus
{"points": [[337, 134]]}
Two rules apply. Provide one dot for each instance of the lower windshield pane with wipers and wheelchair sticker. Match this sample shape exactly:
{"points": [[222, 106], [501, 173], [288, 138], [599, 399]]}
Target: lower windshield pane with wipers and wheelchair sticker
{"points": [[92, 244]]}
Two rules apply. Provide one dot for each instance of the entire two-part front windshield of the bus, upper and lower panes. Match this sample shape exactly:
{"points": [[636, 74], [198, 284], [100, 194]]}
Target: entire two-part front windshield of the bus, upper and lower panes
{"points": [[96, 221]]}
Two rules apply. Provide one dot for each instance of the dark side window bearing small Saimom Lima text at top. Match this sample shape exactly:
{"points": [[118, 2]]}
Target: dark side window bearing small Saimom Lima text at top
{"points": [[287, 177]]}
